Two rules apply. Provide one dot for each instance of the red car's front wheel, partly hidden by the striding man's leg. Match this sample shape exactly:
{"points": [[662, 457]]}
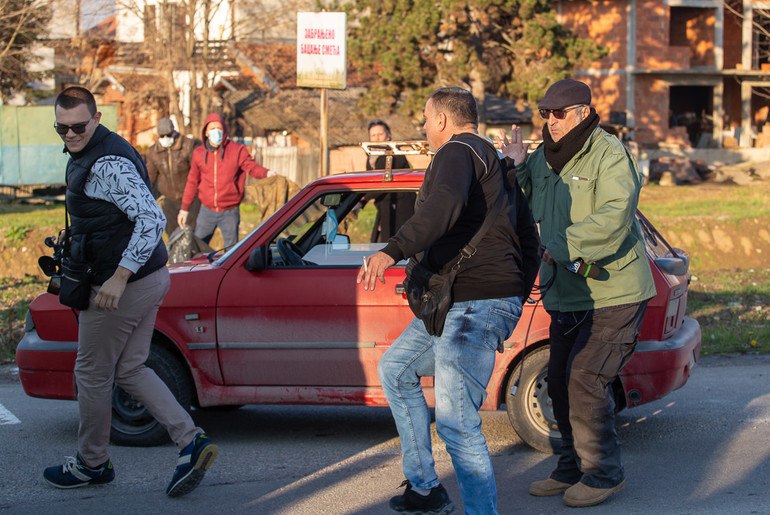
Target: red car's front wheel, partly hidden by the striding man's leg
{"points": [[132, 423]]}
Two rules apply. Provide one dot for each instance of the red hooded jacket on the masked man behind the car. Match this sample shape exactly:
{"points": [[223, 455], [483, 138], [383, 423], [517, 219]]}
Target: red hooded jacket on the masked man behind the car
{"points": [[218, 175]]}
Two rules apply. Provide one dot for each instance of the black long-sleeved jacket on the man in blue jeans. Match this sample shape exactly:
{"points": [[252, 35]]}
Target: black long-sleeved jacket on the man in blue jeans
{"points": [[461, 186]]}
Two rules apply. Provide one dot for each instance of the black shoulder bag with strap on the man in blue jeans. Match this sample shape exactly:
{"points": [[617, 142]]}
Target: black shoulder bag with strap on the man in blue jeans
{"points": [[429, 293]]}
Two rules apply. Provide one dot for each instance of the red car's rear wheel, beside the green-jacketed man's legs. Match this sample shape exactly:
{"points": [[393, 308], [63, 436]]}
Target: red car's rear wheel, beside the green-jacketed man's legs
{"points": [[530, 410]]}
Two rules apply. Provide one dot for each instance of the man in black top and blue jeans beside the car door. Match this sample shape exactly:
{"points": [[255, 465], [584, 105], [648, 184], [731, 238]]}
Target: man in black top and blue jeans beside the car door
{"points": [[461, 187]]}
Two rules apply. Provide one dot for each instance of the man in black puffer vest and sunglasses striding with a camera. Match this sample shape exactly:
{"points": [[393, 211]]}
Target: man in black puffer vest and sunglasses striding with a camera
{"points": [[116, 228]]}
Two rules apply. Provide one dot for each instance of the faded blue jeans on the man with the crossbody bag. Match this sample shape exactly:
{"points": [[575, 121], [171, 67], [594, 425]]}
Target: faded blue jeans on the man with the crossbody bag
{"points": [[462, 360]]}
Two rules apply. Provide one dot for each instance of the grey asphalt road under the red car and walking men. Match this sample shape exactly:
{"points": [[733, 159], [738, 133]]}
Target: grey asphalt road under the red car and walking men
{"points": [[703, 449]]}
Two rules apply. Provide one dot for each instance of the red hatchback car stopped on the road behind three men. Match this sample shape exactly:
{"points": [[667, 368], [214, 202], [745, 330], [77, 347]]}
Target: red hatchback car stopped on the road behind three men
{"points": [[279, 319]]}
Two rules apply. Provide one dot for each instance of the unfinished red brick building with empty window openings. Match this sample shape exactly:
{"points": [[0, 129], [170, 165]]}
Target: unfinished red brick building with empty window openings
{"points": [[679, 72]]}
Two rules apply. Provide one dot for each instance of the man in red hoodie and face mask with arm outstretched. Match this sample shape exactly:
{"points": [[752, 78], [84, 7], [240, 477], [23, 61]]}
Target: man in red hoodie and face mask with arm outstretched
{"points": [[218, 176]]}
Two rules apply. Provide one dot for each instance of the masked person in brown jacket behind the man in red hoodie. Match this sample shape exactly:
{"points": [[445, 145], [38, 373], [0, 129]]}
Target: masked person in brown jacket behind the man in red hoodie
{"points": [[168, 163]]}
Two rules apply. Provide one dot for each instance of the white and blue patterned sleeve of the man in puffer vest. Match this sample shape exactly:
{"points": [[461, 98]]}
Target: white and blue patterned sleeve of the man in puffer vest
{"points": [[115, 179]]}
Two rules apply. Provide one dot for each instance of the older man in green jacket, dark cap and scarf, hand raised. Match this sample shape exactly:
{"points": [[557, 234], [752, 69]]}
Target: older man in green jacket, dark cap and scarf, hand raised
{"points": [[583, 187]]}
